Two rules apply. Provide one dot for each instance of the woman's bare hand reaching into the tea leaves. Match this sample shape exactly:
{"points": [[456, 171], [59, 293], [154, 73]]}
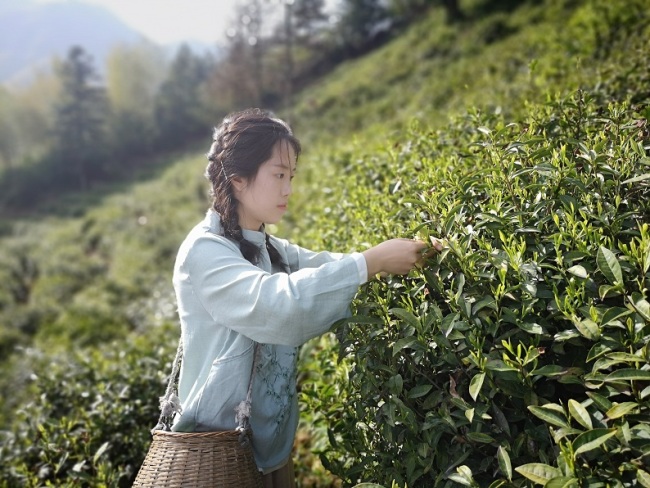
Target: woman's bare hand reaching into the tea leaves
{"points": [[397, 256]]}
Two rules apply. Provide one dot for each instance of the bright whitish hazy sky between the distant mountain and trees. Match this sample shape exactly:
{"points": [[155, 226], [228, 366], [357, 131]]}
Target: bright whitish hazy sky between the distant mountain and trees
{"points": [[167, 21]]}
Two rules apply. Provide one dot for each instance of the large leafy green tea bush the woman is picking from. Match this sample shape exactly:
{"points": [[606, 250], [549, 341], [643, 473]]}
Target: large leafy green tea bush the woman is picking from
{"points": [[519, 355]]}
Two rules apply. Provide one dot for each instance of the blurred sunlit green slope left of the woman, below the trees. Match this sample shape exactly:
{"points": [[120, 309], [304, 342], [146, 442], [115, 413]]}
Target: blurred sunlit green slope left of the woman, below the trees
{"points": [[91, 279]]}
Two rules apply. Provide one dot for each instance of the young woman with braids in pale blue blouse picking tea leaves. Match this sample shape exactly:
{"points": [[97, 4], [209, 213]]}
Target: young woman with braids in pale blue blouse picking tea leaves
{"points": [[237, 286]]}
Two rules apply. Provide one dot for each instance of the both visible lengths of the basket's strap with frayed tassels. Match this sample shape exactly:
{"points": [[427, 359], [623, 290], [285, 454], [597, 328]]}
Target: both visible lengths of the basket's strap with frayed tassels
{"points": [[170, 404]]}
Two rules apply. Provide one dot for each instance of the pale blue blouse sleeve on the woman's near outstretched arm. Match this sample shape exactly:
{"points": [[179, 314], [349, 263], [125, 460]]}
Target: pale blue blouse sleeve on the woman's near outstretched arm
{"points": [[276, 308]]}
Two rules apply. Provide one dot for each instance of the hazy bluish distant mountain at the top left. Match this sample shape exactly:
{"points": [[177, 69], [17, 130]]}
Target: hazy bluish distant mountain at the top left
{"points": [[32, 33]]}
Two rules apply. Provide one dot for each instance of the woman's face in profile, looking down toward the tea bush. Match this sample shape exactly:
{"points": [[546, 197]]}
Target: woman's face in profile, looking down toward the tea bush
{"points": [[264, 198]]}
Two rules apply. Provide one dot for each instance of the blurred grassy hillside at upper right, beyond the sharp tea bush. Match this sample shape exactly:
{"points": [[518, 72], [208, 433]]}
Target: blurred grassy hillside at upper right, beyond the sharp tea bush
{"points": [[501, 63]]}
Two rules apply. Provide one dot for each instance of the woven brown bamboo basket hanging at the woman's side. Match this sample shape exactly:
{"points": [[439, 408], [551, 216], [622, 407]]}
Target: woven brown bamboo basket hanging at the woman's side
{"points": [[198, 459]]}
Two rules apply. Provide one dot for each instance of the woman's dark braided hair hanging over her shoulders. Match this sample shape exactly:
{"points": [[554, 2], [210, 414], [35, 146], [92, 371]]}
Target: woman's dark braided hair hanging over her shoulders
{"points": [[241, 144]]}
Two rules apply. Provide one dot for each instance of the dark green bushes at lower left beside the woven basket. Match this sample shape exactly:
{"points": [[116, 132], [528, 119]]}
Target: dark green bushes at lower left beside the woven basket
{"points": [[87, 422]]}
